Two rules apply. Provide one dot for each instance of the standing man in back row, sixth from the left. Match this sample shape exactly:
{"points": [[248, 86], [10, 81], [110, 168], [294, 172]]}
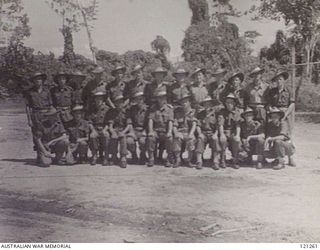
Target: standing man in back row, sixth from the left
{"points": [[136, 82]]}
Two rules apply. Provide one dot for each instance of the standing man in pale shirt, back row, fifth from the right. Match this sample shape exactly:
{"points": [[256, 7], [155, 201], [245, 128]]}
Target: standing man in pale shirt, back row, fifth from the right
{"points": [[198, 88]]}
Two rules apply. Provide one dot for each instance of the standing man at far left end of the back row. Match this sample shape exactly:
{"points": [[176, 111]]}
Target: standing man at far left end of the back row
{"points": [[38, 101]]}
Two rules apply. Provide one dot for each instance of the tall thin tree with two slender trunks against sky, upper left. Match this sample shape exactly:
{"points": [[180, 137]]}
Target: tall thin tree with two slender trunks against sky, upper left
{"points": [[75, 15]]}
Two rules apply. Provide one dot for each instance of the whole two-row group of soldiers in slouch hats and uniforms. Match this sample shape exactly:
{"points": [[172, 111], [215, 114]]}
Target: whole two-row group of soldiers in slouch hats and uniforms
{"points": [[143, 119]]}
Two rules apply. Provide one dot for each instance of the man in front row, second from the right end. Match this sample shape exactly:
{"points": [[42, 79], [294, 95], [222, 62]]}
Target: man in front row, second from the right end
{"points": [[252, 136]]}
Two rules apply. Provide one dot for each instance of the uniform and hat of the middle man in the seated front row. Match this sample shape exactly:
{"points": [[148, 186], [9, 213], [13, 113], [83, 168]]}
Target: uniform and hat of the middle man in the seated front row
{"points": [[160, 116]]}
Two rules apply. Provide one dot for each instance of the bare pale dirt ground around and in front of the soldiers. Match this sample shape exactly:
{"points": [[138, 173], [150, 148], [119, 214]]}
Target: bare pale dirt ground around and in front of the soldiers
{"points": [[82, 203]]}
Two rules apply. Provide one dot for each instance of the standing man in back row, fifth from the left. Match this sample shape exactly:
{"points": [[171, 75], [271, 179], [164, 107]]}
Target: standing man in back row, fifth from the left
{"points": [[117, 86]]}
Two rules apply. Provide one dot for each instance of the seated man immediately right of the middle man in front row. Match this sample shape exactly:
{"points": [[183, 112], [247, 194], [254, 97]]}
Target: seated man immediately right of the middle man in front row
{"points": [[184, 128]]}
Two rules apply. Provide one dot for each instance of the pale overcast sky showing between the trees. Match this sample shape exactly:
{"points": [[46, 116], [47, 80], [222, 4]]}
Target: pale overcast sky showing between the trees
{"points": [[132, 24]]}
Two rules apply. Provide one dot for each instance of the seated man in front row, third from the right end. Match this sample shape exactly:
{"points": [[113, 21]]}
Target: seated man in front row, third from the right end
{"points": [[230, 117]]}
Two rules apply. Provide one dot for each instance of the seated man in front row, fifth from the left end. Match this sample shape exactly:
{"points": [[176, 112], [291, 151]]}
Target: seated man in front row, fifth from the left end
{"points": [[137, 114]]}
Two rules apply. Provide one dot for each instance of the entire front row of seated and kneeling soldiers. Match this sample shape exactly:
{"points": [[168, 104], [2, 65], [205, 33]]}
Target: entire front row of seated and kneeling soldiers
{"points": [[118, 131]]}
